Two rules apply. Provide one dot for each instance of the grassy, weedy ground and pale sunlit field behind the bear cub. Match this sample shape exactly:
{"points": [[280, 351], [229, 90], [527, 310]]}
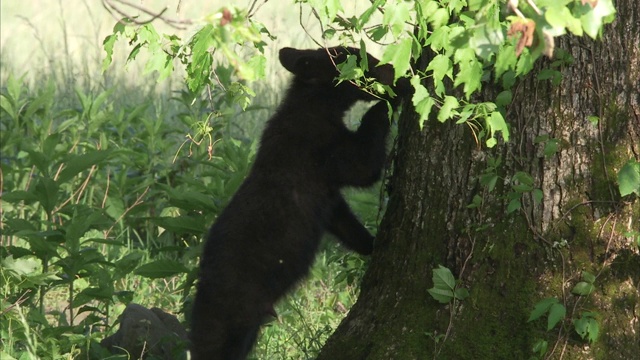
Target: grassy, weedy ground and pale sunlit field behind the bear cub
{"points": [[73, 241]]}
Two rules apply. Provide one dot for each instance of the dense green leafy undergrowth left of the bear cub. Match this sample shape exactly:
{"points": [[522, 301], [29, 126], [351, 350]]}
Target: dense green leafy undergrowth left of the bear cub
{"points": [[89, 196]]}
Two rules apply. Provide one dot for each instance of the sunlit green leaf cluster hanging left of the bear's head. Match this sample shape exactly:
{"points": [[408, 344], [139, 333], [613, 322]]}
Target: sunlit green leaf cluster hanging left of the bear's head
{"points": [[211, 53]]}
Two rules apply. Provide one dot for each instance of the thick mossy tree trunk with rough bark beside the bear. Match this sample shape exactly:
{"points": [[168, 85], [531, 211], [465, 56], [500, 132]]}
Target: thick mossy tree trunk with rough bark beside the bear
{"points": [[511, 262]]}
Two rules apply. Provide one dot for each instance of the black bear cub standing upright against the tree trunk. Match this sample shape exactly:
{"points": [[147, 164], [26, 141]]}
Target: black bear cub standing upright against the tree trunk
{"points": [[266, 238]]}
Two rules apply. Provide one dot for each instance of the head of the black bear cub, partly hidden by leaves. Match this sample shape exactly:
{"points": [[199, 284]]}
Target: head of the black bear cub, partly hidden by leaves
{"points": [[318, 67]]}
